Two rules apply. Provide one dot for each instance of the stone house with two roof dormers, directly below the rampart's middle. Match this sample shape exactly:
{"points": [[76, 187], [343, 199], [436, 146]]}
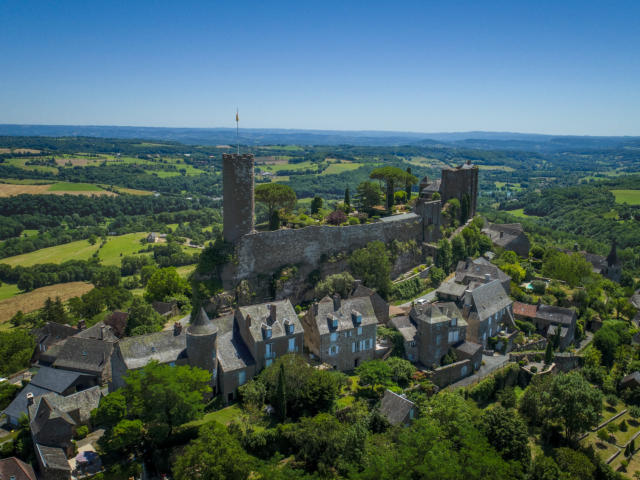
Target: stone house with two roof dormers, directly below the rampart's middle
{"points": [[341, 333]]}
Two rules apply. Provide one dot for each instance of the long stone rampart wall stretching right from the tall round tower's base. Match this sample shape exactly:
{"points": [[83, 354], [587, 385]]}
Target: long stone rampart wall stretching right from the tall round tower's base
{"points": [[265, 252]]}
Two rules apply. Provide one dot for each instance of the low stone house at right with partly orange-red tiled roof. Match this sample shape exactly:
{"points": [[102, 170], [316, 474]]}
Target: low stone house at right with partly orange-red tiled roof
{"points": [[547, 318]]}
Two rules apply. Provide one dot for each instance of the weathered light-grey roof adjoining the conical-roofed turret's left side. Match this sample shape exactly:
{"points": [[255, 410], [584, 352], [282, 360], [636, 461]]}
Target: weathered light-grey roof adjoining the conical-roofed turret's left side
{"points": [[165, 347]]}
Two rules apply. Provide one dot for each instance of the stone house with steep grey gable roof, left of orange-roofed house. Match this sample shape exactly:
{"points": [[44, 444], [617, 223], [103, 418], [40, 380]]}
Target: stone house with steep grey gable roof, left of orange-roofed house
{"points": [[487, 309]]}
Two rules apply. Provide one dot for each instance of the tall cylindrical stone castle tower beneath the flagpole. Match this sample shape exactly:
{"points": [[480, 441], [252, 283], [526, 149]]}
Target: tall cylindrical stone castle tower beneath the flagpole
{"points": [[237, 195]]}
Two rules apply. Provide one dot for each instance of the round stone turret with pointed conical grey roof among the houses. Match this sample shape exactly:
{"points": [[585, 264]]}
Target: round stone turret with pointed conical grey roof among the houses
{"points": [[201, 344]]}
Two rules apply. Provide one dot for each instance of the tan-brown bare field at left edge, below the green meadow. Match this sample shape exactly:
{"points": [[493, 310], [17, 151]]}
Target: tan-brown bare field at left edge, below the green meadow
{"points": [[28, 302]]}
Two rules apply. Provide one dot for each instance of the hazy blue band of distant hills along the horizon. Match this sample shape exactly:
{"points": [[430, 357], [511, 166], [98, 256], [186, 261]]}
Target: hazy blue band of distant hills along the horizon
{"points": [[254, 136]]}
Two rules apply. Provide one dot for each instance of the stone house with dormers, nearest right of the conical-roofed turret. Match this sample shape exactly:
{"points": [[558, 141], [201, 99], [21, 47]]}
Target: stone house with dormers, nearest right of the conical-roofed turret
{"points": [[269, 330]]}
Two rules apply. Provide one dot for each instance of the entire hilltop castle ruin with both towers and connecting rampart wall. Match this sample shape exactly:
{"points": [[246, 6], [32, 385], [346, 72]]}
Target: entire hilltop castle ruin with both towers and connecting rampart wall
{"points": [[262, 254]]}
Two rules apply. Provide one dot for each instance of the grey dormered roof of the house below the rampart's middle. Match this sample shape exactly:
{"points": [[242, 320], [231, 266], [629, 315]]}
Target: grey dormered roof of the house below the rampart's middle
{"points": [[361, 305]]}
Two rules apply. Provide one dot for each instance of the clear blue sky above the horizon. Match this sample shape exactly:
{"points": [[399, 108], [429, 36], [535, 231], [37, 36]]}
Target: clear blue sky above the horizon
{"points": [[540, 66]]}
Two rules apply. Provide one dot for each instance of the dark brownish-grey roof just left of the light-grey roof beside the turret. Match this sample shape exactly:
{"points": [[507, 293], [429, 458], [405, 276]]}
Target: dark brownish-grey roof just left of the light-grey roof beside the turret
{"points": [[84, 354]]}
